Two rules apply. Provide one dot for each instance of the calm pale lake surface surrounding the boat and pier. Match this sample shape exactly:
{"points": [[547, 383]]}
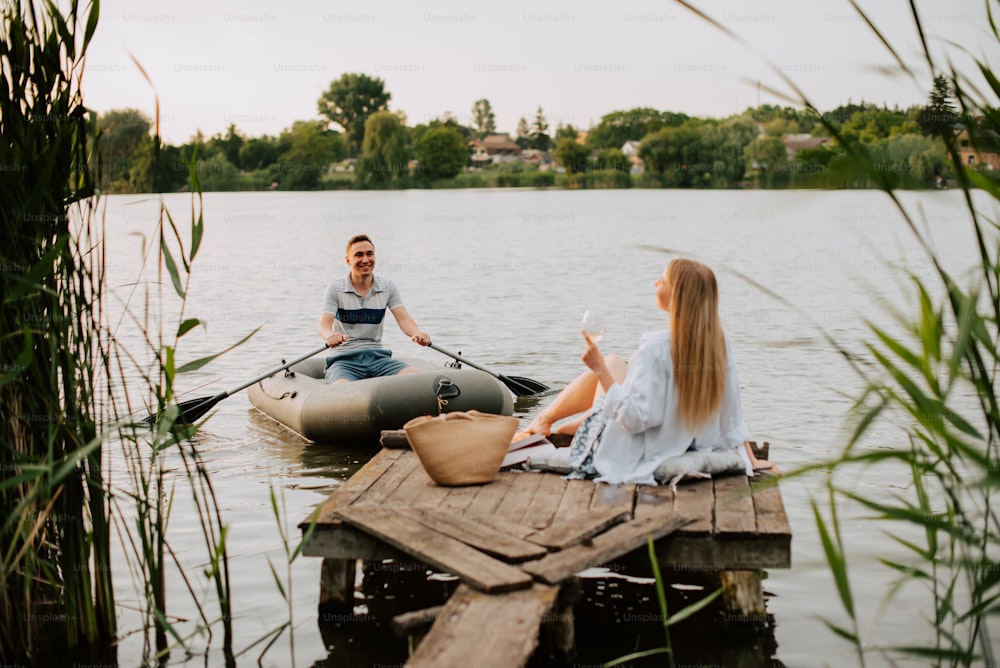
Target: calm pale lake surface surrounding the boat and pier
{"points": [[504, 276]]}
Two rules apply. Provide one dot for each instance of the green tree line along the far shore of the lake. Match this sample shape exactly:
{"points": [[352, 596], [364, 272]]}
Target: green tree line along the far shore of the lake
{"points": [[676, 150]]}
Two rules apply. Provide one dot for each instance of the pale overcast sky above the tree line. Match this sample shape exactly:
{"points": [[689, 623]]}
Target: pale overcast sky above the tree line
{"points": [[263, 64]]}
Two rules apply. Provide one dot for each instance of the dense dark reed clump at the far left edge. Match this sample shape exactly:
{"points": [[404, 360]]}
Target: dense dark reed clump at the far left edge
{"points": [[55, 536]]}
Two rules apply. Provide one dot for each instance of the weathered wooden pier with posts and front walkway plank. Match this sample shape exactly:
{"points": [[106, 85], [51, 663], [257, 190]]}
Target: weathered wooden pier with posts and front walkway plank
{"points": [[517, 542]]}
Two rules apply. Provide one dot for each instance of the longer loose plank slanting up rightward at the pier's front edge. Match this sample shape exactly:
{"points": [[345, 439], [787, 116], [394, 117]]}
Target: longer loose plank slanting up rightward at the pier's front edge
{"points": [[604, 548]]}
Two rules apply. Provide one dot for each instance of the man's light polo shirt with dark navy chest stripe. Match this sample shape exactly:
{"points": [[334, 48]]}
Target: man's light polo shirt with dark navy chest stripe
{"points": [[360, 317]]}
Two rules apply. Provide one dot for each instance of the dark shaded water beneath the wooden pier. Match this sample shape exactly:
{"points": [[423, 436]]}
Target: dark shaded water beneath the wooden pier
{"points": [[613, 616]]}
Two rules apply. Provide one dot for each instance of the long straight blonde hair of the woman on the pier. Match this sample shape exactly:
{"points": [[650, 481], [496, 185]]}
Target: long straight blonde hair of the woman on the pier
{"points": [[697, 345]]}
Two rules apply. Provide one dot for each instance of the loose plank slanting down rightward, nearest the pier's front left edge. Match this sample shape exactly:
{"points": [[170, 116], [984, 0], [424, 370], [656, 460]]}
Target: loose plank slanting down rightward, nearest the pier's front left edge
{"points": [[436, 549]]}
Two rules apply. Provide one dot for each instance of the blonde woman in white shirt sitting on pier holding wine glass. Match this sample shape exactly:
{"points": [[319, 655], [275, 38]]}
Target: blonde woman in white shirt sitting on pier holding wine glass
{"points": [[679, 392]]}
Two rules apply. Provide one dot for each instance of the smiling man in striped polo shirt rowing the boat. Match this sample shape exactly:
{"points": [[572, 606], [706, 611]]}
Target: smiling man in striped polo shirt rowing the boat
{"points": [[353, 313]]}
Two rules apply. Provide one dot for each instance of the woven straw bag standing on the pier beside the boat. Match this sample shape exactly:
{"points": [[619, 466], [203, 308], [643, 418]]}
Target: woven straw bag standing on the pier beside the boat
{"points": [[461, 448]]}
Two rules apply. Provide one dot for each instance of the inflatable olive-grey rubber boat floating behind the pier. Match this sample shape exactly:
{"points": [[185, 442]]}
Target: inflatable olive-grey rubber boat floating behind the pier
{"points": [[357, 412]]}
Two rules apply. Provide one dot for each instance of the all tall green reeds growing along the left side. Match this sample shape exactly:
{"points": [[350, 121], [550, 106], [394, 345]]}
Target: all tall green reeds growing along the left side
{"points": [[67, 382]]}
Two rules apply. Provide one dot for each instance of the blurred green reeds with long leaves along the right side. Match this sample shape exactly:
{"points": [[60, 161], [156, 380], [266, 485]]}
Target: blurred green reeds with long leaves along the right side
{"points": [[933, 386]]}
